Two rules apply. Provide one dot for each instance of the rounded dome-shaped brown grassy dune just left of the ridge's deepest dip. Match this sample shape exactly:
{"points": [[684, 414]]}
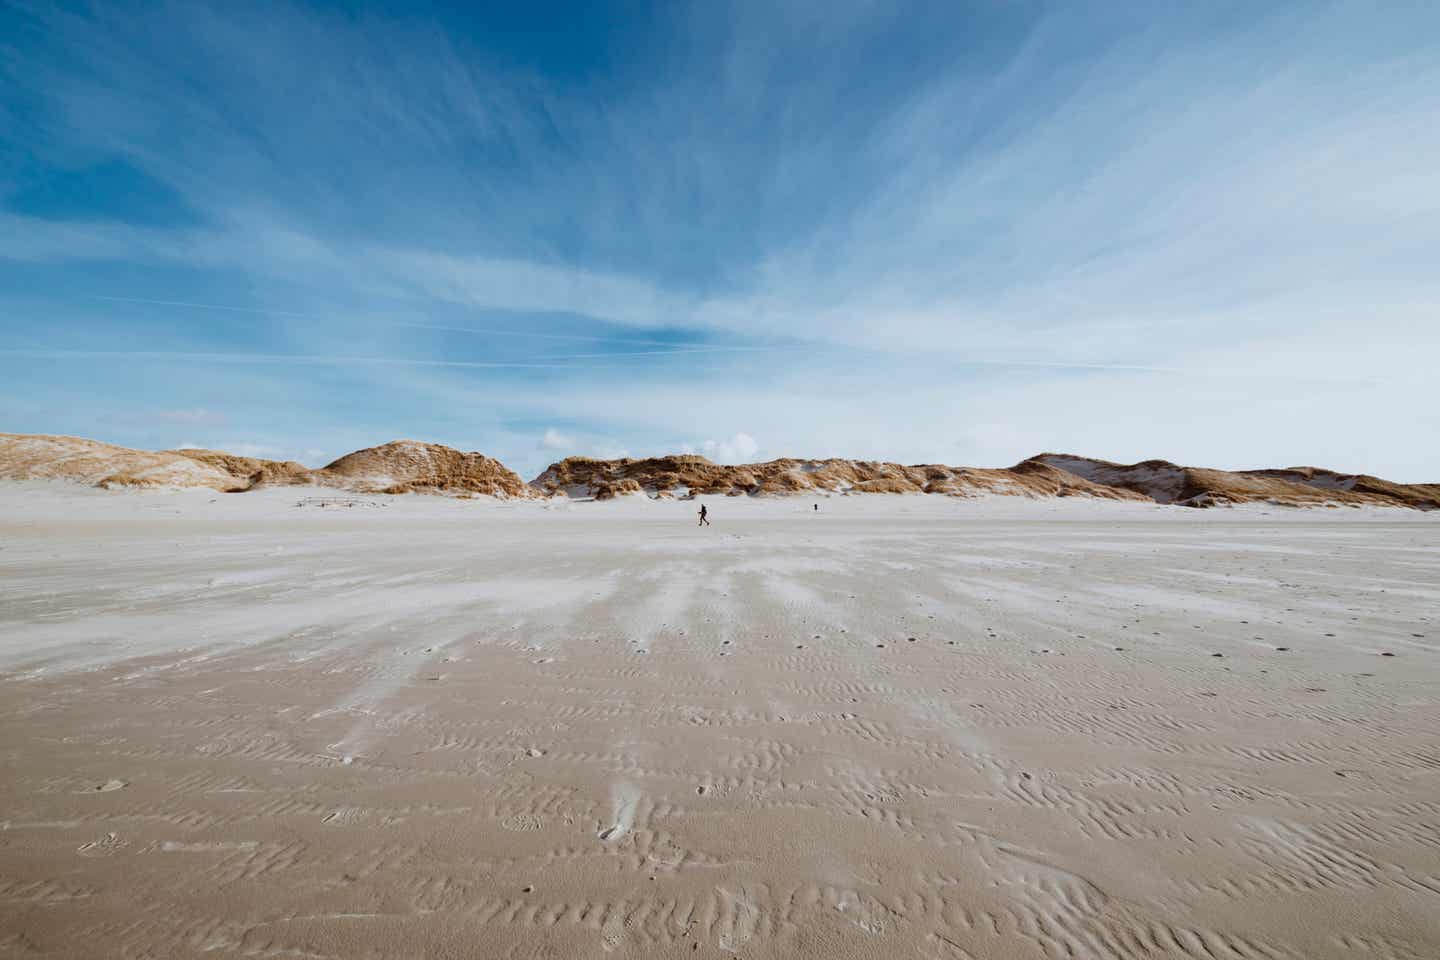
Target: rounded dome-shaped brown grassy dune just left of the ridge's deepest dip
{"points": [[405, 467]]}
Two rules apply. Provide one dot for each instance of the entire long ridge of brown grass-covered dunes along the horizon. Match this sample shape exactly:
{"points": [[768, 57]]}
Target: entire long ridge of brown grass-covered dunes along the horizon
{"points": [[414, 467]]}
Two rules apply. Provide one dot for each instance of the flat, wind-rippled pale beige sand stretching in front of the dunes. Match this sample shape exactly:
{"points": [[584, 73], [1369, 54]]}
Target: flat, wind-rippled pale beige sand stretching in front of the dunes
{"points": [[438, 729]]}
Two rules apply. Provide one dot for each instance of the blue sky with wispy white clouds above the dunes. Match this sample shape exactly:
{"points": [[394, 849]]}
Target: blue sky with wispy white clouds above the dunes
{"points": [[940, 232]]}
